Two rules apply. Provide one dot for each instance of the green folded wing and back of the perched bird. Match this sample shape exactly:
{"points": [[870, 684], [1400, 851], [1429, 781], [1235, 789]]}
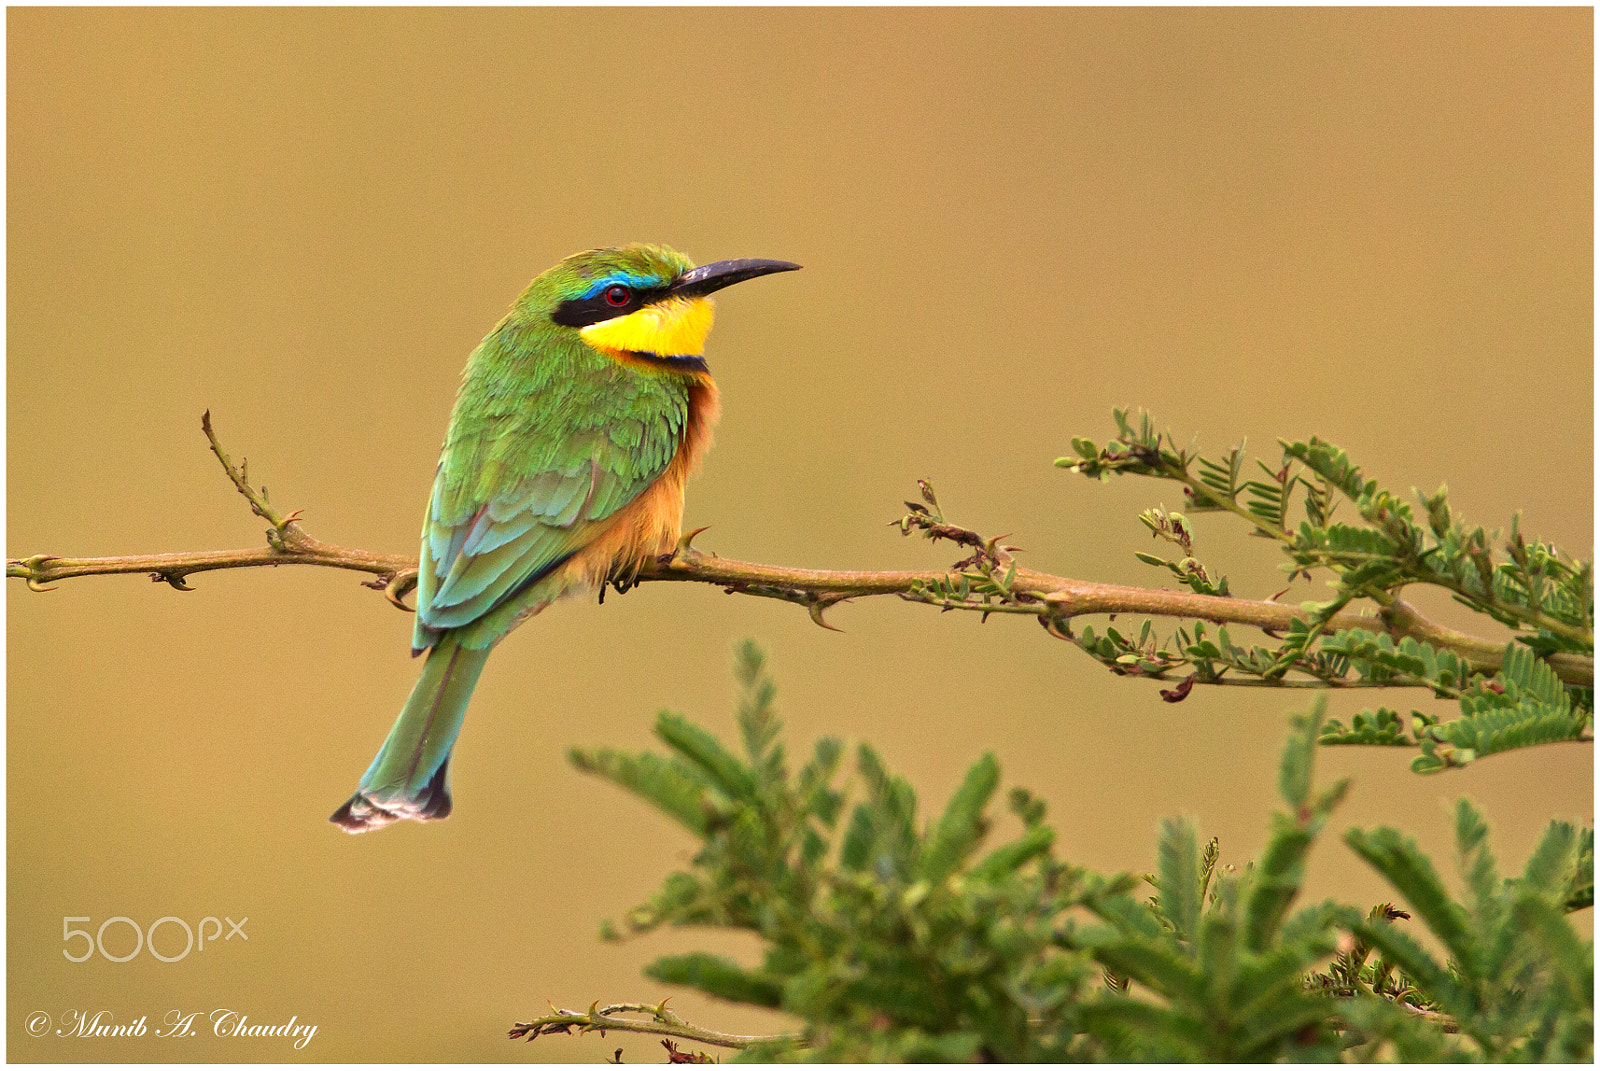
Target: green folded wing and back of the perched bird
{"points": [[527, 473]]}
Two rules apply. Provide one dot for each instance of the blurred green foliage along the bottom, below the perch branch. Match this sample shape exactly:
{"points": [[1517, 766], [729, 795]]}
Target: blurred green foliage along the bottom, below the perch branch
{"points": [[897, 939]]}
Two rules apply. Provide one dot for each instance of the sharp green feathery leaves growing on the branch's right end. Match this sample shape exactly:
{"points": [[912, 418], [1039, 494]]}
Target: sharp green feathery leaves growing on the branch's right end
{"points": [[1510, 699]]}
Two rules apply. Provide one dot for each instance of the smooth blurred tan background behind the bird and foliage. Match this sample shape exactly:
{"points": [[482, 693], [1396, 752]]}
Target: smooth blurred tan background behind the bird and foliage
{"points": [[1370, 227]]}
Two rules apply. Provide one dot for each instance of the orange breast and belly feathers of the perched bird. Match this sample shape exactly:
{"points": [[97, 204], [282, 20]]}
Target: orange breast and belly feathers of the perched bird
{"points": [[652, 524]]}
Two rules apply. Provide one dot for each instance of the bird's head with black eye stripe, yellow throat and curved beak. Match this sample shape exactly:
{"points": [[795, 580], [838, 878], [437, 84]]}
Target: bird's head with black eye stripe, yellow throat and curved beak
{"points": [[638, 300]]}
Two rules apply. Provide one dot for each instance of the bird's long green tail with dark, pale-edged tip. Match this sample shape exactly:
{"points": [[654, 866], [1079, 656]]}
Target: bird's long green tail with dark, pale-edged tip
{"points": [[407, 779]]}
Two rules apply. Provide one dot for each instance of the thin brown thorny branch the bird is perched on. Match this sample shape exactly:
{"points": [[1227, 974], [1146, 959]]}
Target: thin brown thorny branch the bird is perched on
{"points": [[986, 582]]}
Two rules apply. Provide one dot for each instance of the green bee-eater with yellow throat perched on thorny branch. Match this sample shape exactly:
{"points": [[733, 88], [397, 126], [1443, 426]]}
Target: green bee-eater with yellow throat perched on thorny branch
{"points": [[578, 420]]}
